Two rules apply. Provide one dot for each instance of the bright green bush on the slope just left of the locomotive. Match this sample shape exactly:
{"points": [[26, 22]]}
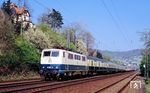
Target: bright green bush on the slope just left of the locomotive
{"points": [[25, 51]]}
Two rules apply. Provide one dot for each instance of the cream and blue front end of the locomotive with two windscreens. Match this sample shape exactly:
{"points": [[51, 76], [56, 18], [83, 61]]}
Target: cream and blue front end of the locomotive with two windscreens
{"points": [[50, 63]]}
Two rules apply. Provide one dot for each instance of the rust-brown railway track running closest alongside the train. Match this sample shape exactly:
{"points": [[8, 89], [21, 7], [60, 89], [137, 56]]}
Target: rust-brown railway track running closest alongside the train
{"points": [[41, 86]]}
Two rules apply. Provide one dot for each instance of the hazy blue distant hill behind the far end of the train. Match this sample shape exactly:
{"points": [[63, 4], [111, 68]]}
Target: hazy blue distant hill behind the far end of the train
{"points": [[131, 56]]}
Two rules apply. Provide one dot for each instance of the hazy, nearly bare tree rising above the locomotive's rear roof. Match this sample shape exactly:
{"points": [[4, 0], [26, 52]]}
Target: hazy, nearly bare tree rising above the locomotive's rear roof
{"points": [[78, 35]]}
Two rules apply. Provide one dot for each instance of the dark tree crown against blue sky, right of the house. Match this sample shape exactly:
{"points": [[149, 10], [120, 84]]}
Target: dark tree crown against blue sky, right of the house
{"points": [[52, 18]]}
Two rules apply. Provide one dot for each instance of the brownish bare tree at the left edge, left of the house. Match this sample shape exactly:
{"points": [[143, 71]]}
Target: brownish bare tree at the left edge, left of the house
{"points": [[6, 33]]}
